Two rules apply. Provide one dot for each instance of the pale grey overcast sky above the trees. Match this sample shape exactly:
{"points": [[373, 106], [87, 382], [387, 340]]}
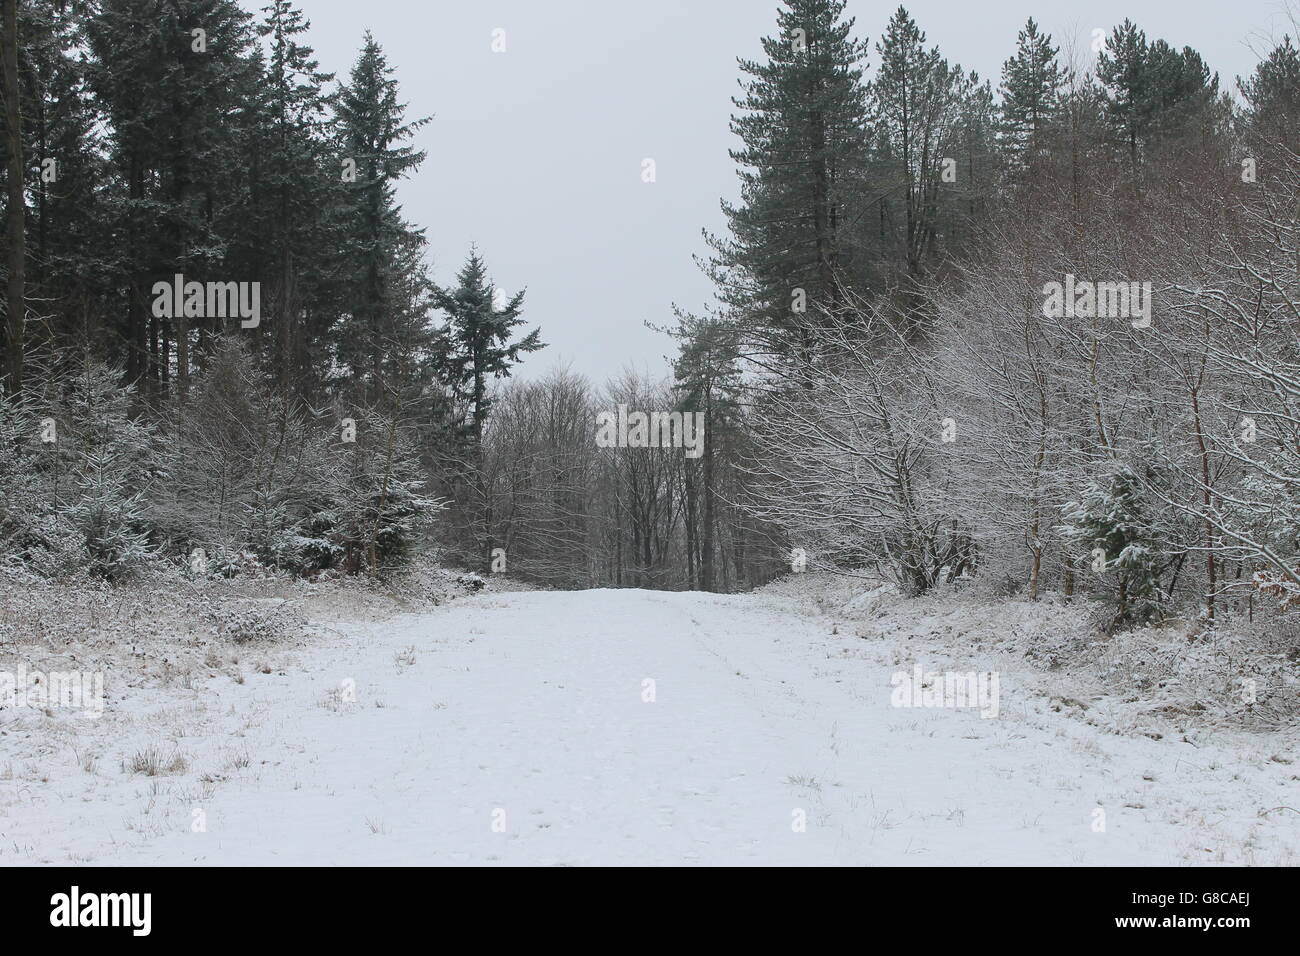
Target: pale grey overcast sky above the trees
{"points": [[536, 154]]}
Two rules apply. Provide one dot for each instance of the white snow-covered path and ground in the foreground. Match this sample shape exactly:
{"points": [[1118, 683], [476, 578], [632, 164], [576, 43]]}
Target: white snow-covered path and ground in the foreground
{"points": [[522, 729]]}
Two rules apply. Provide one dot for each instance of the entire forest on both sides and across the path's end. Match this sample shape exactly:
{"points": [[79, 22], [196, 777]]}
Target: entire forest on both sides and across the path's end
{"points": [[1033, 334]]}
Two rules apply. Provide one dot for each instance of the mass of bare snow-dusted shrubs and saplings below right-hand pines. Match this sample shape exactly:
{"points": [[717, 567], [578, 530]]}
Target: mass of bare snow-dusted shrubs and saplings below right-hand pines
{"points": [[1147, 460]]}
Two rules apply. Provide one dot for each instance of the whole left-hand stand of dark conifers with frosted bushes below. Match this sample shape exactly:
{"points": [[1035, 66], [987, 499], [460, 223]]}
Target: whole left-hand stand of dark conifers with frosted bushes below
{"points": [[222, 335]]}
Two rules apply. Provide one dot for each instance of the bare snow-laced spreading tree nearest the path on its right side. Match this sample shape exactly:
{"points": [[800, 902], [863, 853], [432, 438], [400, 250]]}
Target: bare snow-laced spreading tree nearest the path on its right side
{"points": [[844, 457]]}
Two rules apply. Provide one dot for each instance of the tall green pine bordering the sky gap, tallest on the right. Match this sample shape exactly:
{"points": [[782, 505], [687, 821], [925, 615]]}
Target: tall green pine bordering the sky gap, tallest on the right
{"points": [[801, 126]]}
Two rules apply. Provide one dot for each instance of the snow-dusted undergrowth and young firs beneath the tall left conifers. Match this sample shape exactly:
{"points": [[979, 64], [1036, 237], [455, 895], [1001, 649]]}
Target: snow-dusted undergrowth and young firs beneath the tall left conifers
{"points": [[235, 482]]}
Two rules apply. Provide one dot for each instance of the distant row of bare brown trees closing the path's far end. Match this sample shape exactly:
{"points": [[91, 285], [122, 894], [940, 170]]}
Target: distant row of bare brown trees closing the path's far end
{"points": [[570, 513]]}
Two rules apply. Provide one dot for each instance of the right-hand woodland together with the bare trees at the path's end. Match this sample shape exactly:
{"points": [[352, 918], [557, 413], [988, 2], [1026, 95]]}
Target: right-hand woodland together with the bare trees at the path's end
{"points": [[1045, 338]]}
